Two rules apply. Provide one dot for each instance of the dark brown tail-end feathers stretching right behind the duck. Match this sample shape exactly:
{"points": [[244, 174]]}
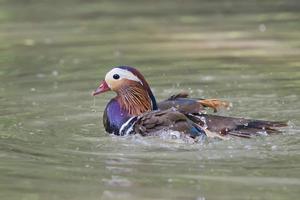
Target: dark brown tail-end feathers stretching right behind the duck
{"points": [[241, 127]]}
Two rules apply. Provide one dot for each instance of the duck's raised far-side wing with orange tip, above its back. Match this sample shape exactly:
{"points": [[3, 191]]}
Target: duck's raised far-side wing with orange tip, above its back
{"points": [[191, 105]]}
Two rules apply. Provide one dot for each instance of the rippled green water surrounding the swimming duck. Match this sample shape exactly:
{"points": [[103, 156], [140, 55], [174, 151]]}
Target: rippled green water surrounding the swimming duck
{"points": [[54, 53]]}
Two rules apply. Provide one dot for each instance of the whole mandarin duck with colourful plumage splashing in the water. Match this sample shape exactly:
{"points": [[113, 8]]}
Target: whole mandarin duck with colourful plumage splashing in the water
{"points": [[135, 111]]}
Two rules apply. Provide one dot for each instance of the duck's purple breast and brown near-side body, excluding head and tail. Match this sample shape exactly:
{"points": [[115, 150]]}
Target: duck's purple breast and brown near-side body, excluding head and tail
{"points": [[118, 121]]}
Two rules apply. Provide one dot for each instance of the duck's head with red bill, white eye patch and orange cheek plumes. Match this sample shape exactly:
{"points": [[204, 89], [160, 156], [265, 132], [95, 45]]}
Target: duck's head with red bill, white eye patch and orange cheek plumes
{"points": [[133, 92]]}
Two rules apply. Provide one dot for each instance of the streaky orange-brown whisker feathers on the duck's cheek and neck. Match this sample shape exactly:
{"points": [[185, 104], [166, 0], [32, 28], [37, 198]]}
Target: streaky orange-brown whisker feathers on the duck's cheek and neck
{"points": [[134, 99]]}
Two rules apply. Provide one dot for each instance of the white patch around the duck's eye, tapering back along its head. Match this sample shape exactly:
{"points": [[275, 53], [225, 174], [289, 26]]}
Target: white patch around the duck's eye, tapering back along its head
{"points": [[124, 74]]}
